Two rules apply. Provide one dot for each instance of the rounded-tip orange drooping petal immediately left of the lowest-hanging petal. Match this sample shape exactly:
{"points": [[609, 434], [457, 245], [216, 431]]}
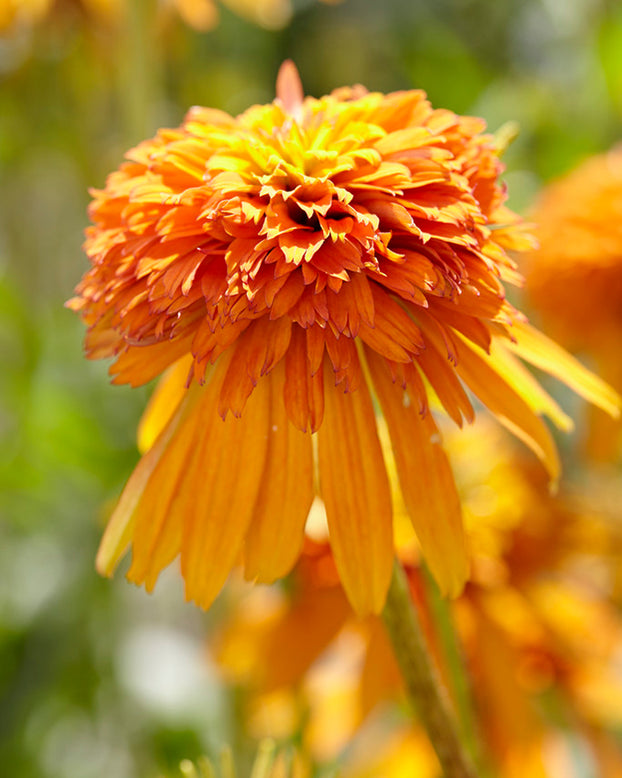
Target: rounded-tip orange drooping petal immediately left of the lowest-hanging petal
{"points": [[275, 537]]}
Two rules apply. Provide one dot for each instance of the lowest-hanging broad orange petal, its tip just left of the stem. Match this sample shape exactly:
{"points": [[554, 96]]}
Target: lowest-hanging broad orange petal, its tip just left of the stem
{"points": [[356, 493]]}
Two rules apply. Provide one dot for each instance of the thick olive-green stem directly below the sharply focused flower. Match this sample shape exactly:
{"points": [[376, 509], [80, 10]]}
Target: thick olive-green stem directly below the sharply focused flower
{"points": [[423, 686]]}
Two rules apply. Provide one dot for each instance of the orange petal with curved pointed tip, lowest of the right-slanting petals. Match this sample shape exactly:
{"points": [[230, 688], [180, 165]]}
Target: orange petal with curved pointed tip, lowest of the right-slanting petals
{"points": [[507, 405]]}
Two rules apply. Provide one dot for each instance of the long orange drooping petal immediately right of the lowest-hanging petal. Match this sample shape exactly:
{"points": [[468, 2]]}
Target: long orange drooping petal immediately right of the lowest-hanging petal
{"points": [[426, 481]]}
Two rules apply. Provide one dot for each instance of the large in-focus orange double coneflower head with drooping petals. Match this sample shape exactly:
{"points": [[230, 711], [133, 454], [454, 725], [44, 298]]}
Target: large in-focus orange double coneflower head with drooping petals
{"points": [[285, 267]]}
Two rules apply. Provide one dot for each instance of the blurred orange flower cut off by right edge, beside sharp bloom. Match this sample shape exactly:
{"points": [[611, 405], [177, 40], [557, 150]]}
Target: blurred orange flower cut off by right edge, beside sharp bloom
{"points": [[575, 277]]}
